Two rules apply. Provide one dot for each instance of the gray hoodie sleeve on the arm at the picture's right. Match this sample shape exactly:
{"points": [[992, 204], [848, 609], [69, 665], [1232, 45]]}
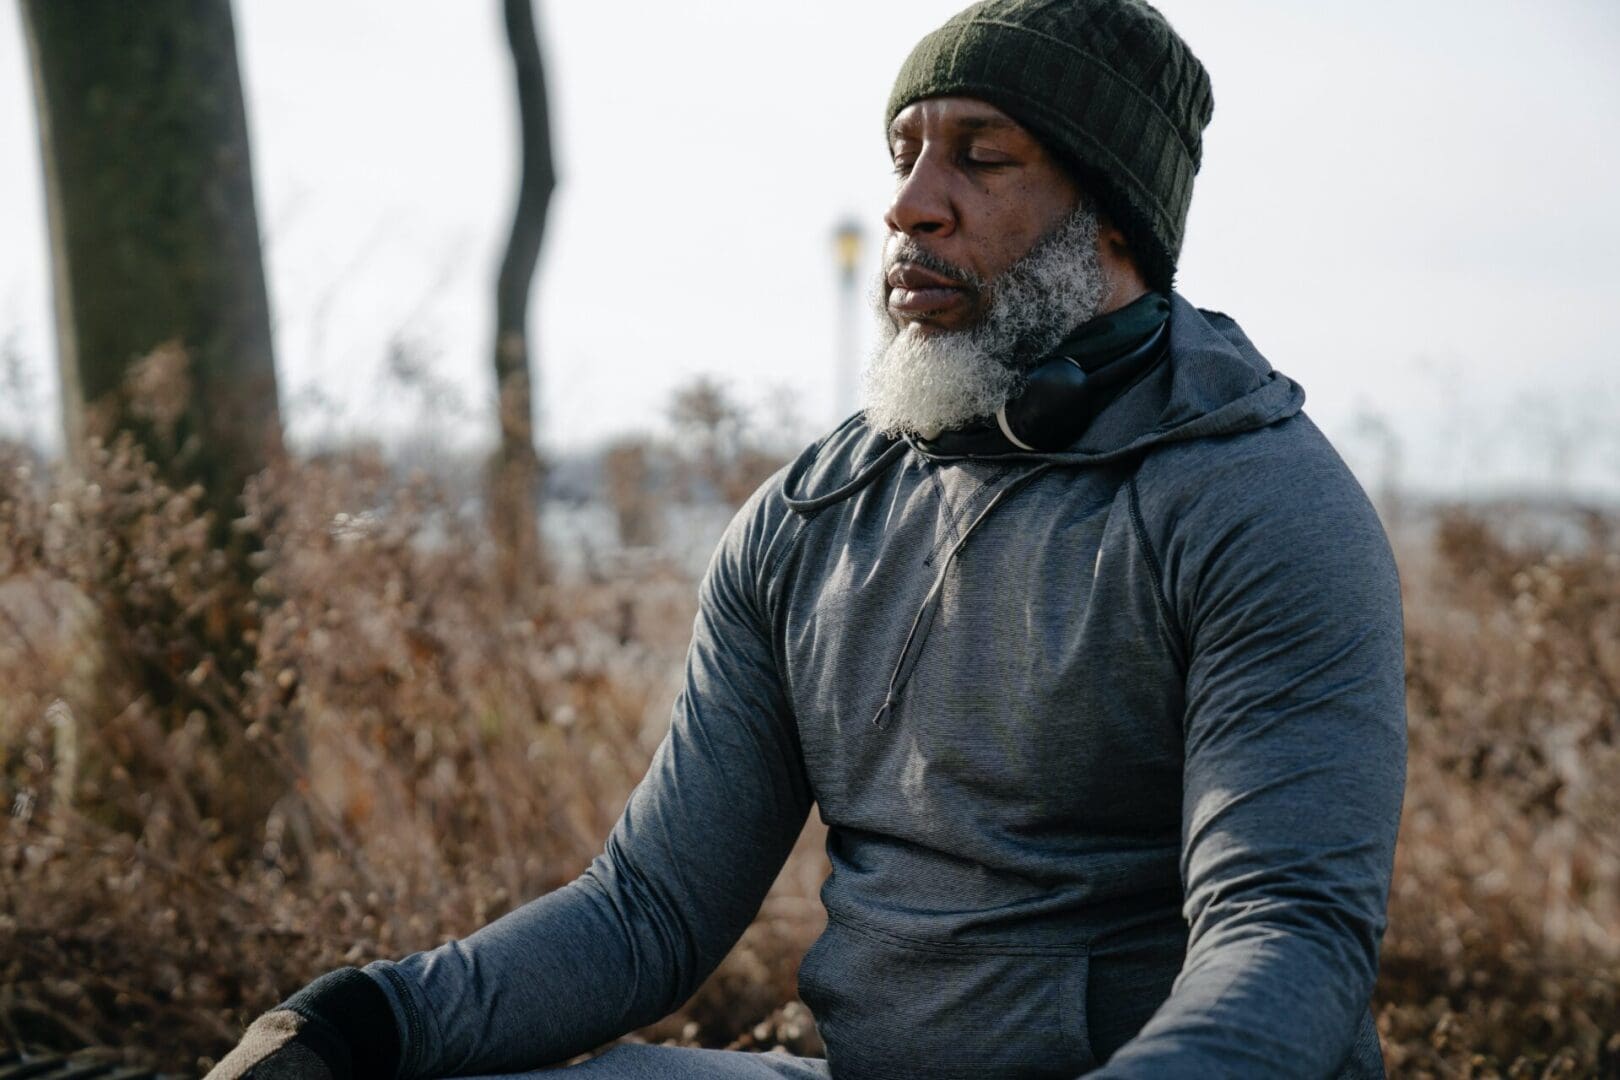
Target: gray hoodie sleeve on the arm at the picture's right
{"points": [[1285, 593]]}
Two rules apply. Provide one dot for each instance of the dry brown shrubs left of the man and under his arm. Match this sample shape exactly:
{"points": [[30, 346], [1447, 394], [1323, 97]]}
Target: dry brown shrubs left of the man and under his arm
{"points": [[407, 754]]}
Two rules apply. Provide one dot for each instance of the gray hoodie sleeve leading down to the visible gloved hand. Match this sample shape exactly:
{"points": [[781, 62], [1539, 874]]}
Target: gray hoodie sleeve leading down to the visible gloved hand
{"points": [[683, 874]]}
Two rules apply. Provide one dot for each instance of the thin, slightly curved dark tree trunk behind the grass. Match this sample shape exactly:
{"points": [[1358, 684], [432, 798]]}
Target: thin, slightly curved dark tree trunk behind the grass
{"points": [[516, 475]]}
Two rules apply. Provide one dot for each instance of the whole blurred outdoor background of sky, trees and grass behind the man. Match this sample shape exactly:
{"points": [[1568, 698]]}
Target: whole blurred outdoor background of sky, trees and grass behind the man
{"points": [[263, 715]]}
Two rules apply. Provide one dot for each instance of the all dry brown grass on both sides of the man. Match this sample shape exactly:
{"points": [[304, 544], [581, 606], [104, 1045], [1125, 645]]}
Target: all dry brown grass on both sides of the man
{"points": [[404, 752]]}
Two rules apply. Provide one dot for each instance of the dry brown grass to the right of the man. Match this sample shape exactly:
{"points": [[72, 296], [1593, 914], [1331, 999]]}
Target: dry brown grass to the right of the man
{"points": [[1504, 948]]}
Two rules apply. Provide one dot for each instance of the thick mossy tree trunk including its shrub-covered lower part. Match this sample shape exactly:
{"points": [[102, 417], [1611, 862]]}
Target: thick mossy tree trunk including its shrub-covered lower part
{"points": [[164, 331]]}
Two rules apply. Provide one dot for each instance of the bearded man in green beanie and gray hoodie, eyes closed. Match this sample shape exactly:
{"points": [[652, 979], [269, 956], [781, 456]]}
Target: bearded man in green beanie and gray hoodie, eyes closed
{"points": [[1081, 637]]}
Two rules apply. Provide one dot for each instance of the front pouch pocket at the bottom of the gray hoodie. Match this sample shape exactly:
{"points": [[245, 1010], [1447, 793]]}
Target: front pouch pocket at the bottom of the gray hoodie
{"points": [[895, 1008]]}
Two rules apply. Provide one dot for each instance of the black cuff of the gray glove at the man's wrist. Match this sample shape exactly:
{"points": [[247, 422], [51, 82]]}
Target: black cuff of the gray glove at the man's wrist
{"points": [[349, 1011]]}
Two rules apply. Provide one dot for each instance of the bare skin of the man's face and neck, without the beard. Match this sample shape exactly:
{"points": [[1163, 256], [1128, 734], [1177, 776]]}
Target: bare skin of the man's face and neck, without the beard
{"points": [[978, 192]]}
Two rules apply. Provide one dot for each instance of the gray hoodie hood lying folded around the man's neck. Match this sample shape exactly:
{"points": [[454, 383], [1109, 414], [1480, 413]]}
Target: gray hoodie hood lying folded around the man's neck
{"points": [[1213, 383]]}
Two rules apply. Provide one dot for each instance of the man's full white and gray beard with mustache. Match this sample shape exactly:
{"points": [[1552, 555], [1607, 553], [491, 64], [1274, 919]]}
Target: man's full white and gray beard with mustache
{"points": [[931, 381]]}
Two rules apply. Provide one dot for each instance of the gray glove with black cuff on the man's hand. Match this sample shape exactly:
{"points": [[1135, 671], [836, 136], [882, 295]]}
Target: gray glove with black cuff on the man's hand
{"points": [[339, 1027]]}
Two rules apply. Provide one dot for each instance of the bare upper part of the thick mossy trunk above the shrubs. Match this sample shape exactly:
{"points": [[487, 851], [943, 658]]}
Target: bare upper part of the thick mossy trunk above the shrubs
{"points": [[163, 315]]}
